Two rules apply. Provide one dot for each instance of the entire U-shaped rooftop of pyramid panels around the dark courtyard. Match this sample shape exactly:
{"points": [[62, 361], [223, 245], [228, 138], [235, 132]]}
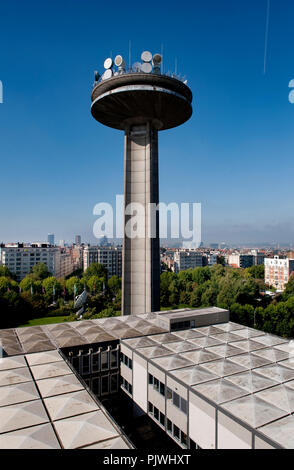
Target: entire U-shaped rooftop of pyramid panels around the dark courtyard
{"points": [[245, 373]]}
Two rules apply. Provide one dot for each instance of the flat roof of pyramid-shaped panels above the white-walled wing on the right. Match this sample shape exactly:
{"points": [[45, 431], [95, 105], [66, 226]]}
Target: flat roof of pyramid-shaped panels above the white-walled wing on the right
{"points": [[246, 373]]}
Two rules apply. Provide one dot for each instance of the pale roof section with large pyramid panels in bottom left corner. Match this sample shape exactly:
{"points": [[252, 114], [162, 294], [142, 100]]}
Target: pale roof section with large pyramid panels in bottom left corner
{"points": [[43, 405]]}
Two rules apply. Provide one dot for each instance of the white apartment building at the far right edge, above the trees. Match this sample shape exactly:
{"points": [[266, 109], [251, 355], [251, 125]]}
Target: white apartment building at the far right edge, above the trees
{"points": [[278, 271]]}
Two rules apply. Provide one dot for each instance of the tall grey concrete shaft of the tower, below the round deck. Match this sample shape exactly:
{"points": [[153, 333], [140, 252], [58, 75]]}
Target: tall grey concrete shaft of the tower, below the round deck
{"points": [[141, 262]]}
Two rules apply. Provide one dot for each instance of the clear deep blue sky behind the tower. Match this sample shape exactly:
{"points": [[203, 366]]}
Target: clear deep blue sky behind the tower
{"points": [[235, 155]]}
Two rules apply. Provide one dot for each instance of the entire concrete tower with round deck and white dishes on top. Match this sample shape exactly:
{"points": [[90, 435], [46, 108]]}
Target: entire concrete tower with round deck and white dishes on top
{"points": [[140, 101]]}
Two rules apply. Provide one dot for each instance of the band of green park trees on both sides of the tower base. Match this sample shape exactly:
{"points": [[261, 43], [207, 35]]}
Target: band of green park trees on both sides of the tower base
{"points": [[41, 298]]}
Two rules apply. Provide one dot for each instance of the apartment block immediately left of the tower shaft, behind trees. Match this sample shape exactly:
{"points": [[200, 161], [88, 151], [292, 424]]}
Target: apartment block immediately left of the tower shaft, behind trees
{"points": [[110, 257]]}
